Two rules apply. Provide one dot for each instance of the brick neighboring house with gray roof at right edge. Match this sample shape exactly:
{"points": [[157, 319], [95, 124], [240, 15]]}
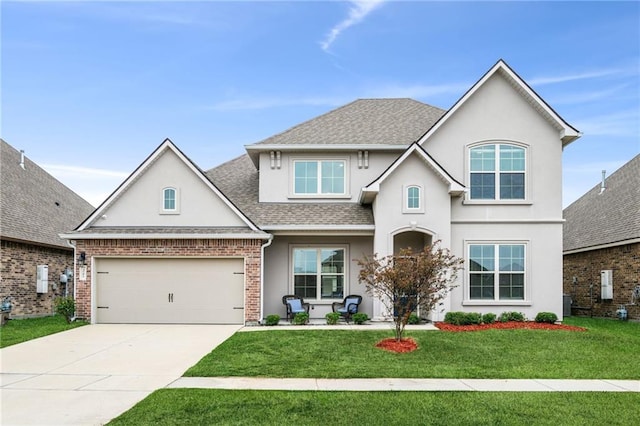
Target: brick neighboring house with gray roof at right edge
{"points": [[602, 233]]}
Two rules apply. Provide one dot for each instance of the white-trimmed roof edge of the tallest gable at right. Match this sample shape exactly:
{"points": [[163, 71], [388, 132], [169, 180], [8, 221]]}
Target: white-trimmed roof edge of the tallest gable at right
{"points": [[566, 132]]}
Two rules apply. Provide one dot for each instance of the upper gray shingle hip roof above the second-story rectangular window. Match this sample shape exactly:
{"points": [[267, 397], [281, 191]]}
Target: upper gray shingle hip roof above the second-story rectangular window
{"points": [[364, 121]]}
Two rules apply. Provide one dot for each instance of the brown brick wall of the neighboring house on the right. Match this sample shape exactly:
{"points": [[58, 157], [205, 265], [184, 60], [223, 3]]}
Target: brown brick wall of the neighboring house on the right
{"points": [[586, 266]]}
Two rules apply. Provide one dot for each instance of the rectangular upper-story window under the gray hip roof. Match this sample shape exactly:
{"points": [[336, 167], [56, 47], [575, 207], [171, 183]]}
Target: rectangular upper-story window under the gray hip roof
{"points": [[324, 177]]}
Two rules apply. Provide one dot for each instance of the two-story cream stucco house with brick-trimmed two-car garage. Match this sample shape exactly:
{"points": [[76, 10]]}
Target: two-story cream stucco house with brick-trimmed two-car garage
{"points": [[175, 244]]}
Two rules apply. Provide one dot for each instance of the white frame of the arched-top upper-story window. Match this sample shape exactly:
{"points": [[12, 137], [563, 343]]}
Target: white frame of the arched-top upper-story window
{"points": [[497, 173]]}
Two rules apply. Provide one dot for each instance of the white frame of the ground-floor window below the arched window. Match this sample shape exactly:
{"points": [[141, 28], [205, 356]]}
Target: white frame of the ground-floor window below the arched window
{"points": [[496, 301]]}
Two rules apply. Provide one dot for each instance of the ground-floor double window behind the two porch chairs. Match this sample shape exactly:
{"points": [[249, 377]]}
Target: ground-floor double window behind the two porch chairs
{"points": [[319, 272]]}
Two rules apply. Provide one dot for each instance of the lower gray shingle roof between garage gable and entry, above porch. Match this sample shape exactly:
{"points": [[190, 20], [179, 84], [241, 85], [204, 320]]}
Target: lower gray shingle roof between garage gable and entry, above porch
{"points": [[238, 180]]}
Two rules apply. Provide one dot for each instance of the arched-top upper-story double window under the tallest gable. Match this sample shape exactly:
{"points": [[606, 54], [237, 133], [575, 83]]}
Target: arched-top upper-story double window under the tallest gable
{"points": [[497, 172]]}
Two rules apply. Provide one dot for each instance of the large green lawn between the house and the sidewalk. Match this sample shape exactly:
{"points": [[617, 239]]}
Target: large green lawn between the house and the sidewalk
{"points": [[608, 350]]}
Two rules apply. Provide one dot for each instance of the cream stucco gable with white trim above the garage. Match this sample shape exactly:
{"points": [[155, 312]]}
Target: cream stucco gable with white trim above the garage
{"points": [[201, 203]]}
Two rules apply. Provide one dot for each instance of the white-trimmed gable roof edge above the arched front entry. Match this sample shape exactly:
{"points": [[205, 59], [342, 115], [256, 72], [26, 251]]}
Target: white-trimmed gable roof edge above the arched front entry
{"points": [[368, 193]]}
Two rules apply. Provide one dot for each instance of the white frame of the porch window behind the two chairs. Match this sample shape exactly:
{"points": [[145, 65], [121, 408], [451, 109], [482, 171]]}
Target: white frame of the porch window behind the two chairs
{"points": [[318, 248]]}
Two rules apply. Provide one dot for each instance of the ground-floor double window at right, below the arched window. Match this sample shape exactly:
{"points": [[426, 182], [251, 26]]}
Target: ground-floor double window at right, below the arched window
{"points": [[497, 271]]}
